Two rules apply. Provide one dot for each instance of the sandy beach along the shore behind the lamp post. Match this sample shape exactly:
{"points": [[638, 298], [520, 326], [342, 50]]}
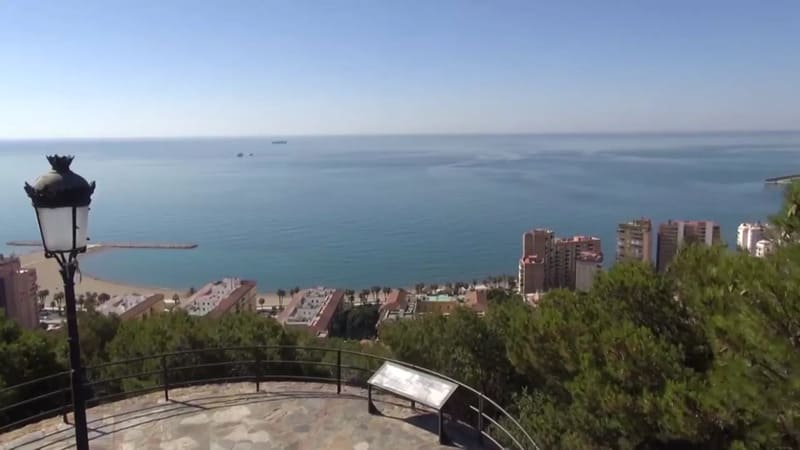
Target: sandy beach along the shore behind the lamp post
{"points": [[49, 278]]}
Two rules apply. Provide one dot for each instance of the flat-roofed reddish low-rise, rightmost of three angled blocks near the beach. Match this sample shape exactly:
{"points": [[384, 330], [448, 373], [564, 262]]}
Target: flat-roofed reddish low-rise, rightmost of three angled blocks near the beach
{"points": [[313, 310]]}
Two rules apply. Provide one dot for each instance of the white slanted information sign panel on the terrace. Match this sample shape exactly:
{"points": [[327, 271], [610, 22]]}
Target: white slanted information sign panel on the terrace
{"points": [[419, 386]]}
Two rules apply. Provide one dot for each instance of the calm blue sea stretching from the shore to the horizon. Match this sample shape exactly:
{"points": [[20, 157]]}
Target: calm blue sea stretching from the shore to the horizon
{"points": [[357, 211]]}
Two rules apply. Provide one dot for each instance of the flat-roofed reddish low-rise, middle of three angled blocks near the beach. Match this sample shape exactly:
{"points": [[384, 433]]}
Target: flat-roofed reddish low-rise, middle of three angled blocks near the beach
{"points": [[223, 296]]}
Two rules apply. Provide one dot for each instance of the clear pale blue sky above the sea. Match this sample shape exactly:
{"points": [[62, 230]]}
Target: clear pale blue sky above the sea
{"points": [[74, 69]]}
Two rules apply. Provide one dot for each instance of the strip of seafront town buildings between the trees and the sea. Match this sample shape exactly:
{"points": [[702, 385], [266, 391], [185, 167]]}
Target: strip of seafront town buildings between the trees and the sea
{"points": [[30, 284]]}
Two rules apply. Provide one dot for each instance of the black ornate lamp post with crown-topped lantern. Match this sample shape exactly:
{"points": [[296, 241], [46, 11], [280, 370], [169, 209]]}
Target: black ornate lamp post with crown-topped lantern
{"points": [[61, 200]]}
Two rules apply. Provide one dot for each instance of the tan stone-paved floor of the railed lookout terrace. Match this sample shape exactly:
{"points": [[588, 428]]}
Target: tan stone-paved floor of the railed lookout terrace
{"points": [[295, 416]]}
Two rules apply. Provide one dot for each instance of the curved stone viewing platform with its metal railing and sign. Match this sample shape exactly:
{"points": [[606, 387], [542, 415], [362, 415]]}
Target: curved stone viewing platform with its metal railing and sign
{"points": [[265, 397]]}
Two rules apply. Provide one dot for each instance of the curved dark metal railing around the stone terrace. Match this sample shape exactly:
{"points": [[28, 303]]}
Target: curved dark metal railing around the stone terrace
{"points": [[50, 396]]}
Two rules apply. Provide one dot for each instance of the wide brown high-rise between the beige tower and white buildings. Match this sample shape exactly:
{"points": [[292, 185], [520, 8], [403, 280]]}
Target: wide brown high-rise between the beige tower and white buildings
{"points": [[673, 234]]}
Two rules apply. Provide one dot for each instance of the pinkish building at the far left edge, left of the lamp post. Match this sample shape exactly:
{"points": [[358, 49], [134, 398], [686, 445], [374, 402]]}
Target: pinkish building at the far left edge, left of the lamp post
{"points": [[18, 292]]}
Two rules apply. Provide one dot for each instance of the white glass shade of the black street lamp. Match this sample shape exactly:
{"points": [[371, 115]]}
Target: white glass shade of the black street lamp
{"points": [[57, 226]]}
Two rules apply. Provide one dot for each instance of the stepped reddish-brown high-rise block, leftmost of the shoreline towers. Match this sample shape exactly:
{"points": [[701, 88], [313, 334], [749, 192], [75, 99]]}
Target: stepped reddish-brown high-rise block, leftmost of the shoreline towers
{"points": [[548, 262]]}
